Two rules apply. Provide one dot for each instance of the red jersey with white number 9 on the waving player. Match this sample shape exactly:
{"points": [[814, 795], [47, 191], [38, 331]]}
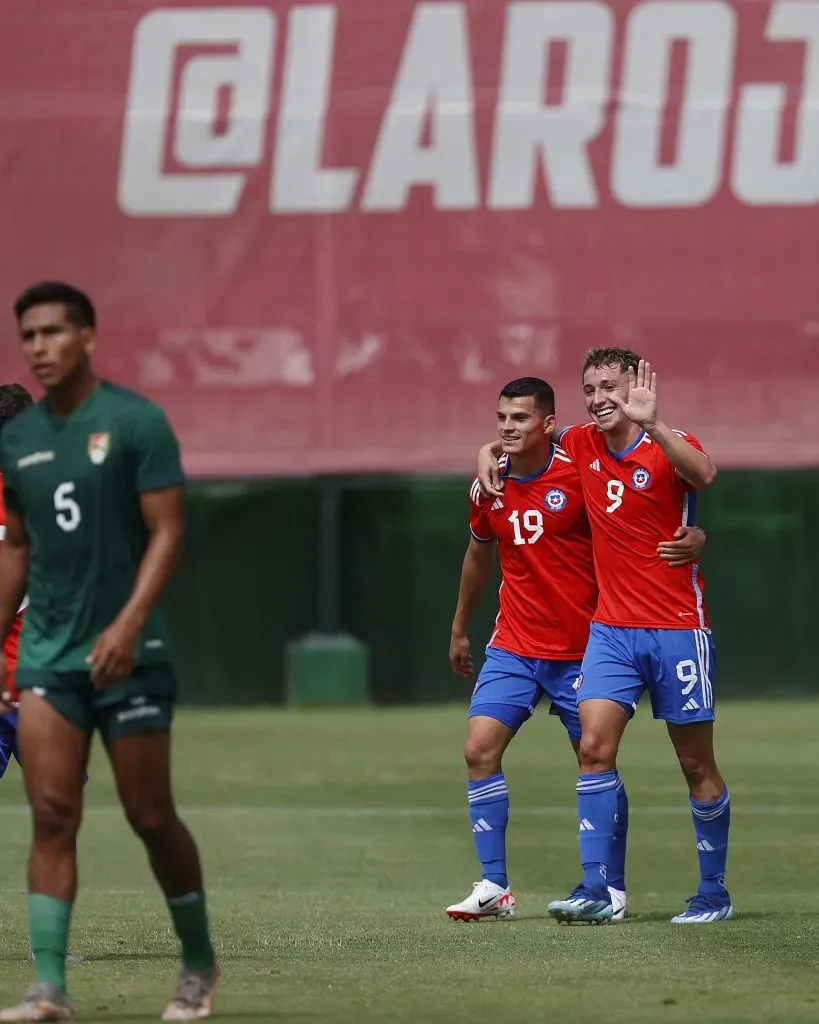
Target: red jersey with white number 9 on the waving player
{"points": [[635, 500]]}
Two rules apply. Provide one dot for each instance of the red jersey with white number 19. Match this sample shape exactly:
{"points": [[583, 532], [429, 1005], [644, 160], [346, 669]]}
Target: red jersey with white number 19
{"points": [[549, 593]]}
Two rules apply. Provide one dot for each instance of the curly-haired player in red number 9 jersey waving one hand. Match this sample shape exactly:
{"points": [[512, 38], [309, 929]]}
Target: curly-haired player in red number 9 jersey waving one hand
{"points": [[651, 631]]}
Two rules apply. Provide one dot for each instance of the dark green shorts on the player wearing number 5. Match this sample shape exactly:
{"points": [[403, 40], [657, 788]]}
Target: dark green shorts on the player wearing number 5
{"points": [[144, 703]]}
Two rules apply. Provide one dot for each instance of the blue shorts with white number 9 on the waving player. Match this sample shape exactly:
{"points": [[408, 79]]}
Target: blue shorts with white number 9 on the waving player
{"points": [[677, 667]]}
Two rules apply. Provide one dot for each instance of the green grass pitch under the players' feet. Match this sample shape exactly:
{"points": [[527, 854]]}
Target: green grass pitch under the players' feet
{"points": [[333, 841]]}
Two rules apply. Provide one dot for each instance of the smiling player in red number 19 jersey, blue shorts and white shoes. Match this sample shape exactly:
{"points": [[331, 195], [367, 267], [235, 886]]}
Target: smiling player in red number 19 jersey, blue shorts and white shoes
{"points": [[548, 598]]}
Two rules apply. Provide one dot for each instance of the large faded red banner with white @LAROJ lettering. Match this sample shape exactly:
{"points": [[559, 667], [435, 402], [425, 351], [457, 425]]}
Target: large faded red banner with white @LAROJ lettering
{"points": [[325, 235]]}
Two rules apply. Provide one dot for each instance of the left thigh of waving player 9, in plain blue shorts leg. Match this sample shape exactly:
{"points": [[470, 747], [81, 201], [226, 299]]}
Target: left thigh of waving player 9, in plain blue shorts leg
{"points": [[610, 670]]}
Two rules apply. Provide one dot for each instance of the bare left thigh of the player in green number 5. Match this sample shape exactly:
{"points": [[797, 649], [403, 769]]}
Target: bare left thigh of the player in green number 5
{"points": [[54, 750]]}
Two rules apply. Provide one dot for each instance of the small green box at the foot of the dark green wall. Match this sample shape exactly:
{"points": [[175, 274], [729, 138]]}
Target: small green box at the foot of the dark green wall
{"points": [[327, 669]]}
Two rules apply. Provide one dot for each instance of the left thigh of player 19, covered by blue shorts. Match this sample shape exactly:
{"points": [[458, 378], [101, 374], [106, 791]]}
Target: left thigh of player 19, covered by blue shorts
{"points": [[507, 690]]}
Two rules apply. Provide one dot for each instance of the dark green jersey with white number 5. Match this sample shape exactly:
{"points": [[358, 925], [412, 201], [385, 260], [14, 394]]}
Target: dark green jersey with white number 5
{"points": [[76, 483]]}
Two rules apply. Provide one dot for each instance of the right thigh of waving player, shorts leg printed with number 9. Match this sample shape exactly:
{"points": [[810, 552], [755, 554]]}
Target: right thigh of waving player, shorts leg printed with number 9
{"points": [[683, 666]]}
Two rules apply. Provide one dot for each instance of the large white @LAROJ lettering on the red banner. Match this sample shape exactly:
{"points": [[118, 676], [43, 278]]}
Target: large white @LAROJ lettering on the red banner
{"points": [[193, 154]]}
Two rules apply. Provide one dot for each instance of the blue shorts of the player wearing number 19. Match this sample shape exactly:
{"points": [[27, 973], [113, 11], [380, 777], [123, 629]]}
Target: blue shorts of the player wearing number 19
{"points": [[510, 688]]}
